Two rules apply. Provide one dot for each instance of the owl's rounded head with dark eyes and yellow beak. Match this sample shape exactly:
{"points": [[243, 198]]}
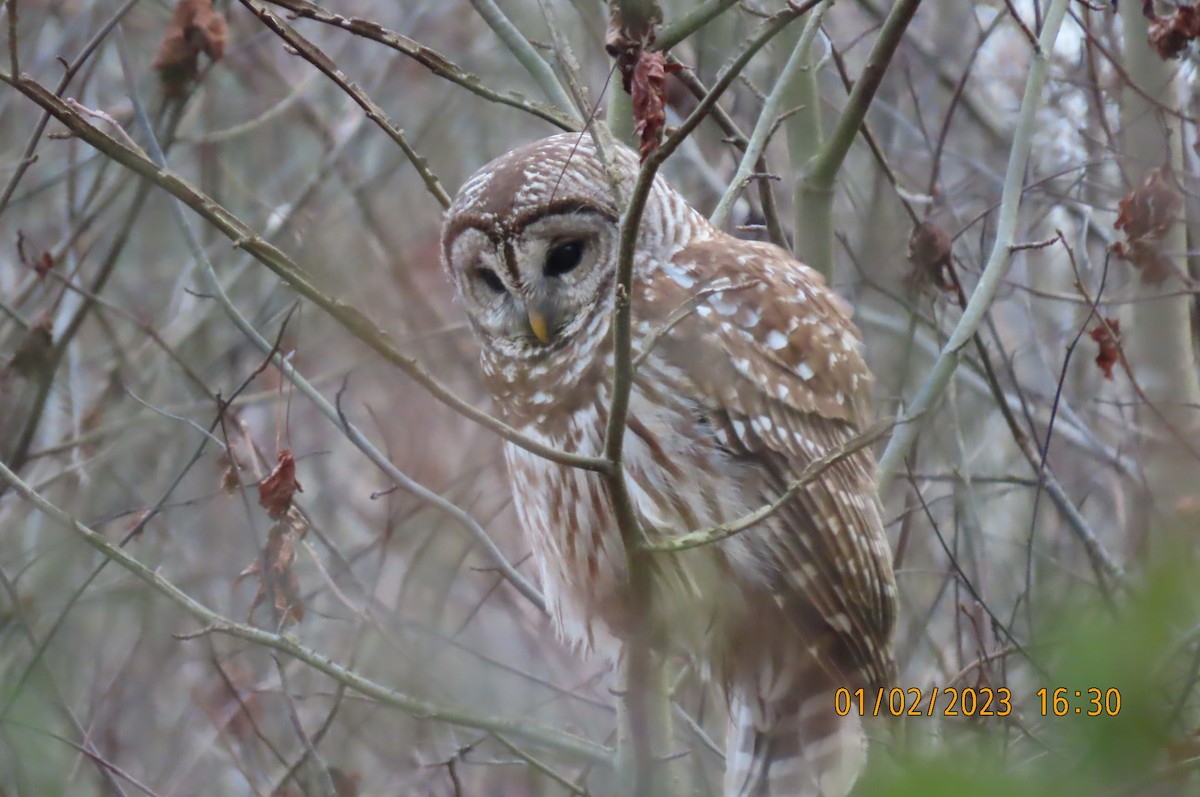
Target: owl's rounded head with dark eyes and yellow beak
{"points": [[531, 245]]}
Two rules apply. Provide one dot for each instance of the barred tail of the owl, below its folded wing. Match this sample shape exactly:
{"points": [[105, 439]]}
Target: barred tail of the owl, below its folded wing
{"points": [[795, 746]]}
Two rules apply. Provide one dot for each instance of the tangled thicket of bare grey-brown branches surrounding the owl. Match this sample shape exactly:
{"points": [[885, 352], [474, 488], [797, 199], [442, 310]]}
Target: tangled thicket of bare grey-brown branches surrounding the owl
{"points": [[256, 535]]}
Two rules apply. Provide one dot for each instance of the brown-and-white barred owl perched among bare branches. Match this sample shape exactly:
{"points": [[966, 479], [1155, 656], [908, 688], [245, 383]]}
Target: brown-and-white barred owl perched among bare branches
{"points": [[748, 369]]}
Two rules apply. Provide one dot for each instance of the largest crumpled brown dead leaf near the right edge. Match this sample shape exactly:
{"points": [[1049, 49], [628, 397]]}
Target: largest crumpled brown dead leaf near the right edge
{"points": [[1147, 215]]}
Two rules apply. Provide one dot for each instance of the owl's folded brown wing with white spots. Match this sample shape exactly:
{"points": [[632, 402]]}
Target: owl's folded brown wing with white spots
{"points": [[779, 371]]}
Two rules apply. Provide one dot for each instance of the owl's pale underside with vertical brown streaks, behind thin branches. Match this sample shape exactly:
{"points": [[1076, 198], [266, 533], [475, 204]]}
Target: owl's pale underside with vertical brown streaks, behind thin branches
{"points": [[679, 481]]}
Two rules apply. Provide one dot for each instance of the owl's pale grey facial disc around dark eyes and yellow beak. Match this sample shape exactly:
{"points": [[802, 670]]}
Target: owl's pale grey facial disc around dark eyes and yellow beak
{"points": [[536, 290]]}
